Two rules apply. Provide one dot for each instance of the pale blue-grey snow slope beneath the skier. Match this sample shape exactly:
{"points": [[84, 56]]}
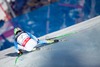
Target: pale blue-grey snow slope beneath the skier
{"points": [[82, 49]]}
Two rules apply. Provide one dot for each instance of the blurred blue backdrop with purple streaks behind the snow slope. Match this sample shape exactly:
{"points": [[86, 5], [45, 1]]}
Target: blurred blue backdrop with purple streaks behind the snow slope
{"points": [[41, 17]]}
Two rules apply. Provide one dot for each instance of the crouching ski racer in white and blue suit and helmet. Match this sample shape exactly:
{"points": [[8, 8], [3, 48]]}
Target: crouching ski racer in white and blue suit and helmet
{"points": [[26, 41]]}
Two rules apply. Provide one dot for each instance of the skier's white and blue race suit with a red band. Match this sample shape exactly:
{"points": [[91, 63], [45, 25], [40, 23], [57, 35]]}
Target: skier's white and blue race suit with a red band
{"points": [[26, 41]]}
